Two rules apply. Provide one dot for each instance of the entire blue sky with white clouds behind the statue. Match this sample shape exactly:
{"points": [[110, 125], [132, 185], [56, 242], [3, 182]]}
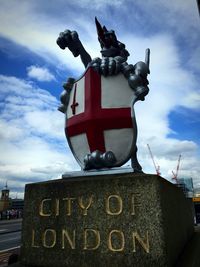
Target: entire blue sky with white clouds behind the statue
{"points": [[32, 69]]}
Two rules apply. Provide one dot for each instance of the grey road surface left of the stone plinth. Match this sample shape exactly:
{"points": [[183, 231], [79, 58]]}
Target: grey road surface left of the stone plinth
{"points": [[10, 239]]}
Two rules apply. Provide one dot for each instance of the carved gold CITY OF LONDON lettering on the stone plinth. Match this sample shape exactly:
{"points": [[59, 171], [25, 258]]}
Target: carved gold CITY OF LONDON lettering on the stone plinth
{"points": [[78, 233]]}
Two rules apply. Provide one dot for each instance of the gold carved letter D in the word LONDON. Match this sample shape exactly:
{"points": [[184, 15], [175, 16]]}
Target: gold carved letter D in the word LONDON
{"points": [[94, 245]]}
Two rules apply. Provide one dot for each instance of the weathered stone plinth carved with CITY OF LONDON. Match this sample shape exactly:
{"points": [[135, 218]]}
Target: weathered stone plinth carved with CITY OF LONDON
{"points": [[128, 220]]}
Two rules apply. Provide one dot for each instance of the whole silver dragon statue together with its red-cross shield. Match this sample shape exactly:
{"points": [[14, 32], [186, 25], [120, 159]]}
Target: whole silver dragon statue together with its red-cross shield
{"points": [[101, 127]]}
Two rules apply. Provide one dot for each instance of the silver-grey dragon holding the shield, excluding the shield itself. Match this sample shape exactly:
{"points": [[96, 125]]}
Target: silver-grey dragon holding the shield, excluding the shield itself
{"points": [[113, 61]]}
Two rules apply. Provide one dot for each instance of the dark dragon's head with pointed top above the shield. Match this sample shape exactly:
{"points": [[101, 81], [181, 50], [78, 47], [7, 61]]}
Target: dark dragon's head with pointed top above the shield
{"points": [[111, 47]]}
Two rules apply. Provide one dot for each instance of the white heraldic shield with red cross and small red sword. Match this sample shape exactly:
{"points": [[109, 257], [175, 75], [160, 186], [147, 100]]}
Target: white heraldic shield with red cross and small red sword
{"points": [[100, 120]]}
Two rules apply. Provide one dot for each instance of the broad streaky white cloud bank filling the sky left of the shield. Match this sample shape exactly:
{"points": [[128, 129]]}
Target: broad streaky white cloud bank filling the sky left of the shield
{"points": [[31, 134]]}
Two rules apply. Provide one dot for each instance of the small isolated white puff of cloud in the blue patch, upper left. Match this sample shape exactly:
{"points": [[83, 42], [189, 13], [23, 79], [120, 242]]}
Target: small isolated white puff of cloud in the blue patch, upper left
{"points": [[40, 74]]}
